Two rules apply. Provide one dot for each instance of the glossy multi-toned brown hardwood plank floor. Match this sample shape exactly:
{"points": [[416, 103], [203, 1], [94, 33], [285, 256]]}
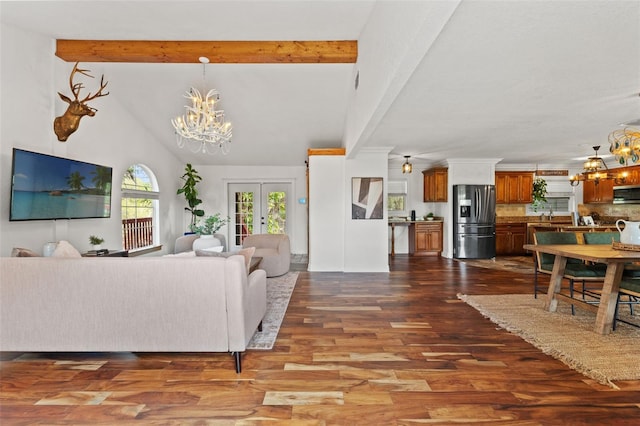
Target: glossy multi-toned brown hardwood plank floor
{"points": [[392, 349]]}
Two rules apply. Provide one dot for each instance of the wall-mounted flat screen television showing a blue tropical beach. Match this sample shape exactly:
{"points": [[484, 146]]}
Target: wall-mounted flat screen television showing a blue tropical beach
{"points": [[47, 187]]}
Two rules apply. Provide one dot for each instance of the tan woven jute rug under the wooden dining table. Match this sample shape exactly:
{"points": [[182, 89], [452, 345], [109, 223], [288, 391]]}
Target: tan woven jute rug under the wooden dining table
{"points": [[568, 338]]}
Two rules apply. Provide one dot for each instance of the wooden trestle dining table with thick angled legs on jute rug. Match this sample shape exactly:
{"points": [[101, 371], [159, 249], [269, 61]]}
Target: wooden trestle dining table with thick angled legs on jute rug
{"points": [[613, 258]]}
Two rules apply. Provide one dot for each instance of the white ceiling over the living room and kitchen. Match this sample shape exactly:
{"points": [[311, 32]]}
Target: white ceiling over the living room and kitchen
{"points": [[532, 82]]}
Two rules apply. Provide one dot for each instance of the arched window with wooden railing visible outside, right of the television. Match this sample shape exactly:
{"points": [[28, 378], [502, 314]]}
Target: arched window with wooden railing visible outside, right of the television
{"points": [[139, 208]]}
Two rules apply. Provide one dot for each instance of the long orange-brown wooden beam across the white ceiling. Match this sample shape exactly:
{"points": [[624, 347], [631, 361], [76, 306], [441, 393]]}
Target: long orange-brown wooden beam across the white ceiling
{"points": [[231, 52]]}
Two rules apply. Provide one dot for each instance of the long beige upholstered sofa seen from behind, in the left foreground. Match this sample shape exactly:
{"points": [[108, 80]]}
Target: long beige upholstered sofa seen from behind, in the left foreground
{"points": [[144, 304]]}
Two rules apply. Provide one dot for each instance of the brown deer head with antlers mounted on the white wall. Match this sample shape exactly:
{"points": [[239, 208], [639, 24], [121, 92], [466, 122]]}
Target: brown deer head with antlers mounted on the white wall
{"points": [[68, 122]]}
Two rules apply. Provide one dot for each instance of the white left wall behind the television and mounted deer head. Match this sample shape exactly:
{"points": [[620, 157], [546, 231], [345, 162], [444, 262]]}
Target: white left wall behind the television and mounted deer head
{"points": [[30, 78]]}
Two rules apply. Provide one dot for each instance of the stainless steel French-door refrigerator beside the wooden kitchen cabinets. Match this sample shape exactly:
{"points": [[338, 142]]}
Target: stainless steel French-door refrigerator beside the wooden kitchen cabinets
{"points": [[474, 221]]}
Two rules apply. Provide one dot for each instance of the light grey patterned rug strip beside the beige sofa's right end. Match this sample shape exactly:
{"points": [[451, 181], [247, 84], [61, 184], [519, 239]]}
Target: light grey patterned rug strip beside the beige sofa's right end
{"points": [[279, 290]]}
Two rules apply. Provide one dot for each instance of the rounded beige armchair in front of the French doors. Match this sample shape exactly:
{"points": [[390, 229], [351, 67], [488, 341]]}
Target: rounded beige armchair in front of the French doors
{"points": [[275, 251]]}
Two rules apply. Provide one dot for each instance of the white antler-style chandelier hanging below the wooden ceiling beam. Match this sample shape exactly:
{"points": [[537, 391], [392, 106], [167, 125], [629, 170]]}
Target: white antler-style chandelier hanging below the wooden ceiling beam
{"points": [[202, 127]]}
